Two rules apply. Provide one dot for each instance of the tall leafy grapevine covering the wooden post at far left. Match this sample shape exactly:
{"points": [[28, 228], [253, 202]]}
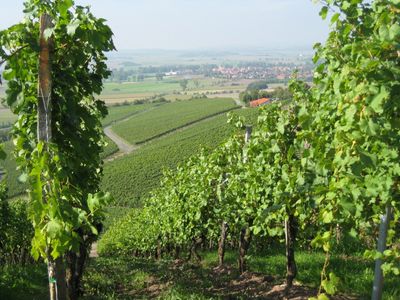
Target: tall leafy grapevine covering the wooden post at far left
{"points": [[56, 126]]}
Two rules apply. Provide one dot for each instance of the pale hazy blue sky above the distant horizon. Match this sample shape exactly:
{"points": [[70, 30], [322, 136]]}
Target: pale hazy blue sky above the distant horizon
{"points": [[201, 24]]}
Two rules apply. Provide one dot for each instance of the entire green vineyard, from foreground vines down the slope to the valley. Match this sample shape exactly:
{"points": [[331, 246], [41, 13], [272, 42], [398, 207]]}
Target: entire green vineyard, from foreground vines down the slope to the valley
{"points": [[295, 200]]}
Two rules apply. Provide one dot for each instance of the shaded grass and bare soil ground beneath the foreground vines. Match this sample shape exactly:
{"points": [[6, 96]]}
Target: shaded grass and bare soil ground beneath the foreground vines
{"points": [[132, 278]]}
